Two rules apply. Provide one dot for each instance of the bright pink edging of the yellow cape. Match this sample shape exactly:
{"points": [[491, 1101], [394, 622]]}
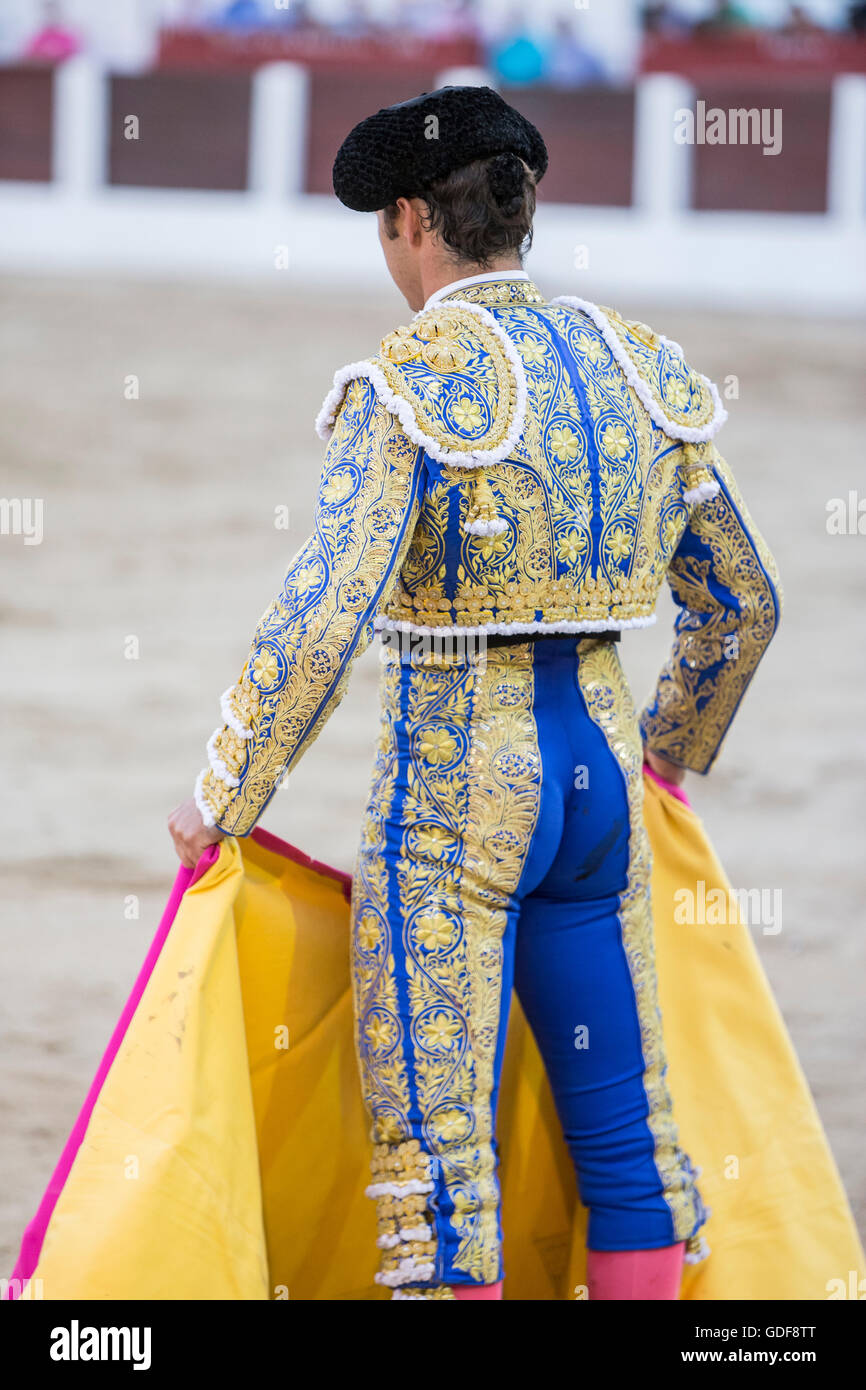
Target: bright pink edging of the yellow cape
{"points": [[34, 1235]]}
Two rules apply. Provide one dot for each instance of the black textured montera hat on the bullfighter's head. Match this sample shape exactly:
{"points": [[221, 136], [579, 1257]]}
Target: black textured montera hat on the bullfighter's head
{"points": [[404, 149]]}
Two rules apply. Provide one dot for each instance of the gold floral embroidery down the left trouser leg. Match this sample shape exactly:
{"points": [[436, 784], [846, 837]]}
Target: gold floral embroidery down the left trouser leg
{"points": [[455, 911]]}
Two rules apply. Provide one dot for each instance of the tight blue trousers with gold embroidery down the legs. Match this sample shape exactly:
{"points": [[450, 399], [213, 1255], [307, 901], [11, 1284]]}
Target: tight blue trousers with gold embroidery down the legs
{"points": [[504, 849]]}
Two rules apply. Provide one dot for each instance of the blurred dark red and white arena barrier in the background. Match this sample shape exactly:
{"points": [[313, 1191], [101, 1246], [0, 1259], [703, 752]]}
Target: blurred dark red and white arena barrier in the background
{"points": [[226, 172]]}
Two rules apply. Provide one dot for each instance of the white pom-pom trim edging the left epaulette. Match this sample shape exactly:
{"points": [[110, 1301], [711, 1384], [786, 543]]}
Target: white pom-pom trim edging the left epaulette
{"points": [[404, 412]]}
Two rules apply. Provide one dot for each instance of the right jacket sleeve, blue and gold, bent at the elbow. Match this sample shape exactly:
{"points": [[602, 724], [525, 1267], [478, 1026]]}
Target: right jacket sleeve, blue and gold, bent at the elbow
{"points": [[728, 589]]}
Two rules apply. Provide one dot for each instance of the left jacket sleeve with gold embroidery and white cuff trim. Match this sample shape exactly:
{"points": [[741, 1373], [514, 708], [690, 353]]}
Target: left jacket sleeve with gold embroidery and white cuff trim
{"points": [[309, 637]]}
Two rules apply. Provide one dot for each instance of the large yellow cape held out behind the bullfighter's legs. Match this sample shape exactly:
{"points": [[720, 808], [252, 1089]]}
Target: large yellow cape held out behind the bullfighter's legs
{"points": [[229, 1149]]}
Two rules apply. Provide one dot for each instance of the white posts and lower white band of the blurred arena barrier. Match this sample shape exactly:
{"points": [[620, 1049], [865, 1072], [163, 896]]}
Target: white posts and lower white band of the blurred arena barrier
{"points": [[658, 248]]}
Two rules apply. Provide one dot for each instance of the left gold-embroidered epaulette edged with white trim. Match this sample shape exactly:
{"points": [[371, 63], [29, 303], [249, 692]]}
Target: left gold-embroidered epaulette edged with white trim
{"points": [[455, 382]]}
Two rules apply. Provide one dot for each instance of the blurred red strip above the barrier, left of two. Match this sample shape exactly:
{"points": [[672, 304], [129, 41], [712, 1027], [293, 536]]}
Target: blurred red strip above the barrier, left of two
{"points": [[318, 49]]}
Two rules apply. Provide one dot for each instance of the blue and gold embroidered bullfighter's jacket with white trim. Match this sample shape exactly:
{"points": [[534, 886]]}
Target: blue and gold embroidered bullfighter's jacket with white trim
{"points": [[508, 465]]}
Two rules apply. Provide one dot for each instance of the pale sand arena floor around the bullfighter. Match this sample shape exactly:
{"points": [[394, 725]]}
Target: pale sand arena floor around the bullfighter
{"points": [[159, 528]]}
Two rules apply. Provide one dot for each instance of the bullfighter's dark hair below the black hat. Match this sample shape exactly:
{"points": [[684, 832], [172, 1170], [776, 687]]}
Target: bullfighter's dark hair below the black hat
{"points": [[483, 211]]}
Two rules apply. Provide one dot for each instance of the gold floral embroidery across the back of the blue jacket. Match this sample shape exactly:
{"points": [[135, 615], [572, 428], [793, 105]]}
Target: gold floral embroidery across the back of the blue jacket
{"points": [[544, 496]]}
